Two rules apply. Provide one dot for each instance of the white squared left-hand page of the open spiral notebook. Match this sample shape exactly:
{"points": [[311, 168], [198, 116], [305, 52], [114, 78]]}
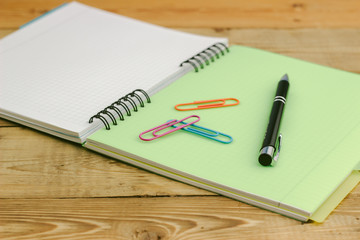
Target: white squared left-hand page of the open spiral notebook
{"points": [[65, 67]]}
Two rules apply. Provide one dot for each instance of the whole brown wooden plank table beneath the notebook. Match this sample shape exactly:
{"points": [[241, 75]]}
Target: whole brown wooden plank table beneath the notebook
{"points": [[54, 189]]}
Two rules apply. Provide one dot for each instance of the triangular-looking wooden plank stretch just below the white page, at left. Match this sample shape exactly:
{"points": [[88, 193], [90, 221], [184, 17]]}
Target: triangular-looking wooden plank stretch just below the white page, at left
{"points": [[37, 165]]}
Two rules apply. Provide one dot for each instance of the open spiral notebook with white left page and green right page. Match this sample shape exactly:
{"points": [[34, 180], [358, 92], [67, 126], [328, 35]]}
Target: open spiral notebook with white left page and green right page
{"points": [[58, 90]]}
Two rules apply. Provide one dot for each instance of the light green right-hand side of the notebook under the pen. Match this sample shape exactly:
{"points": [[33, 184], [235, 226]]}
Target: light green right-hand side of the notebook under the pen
{"points": [[320, 129]]}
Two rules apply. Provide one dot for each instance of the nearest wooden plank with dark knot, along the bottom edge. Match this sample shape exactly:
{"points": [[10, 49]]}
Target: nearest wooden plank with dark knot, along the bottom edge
{"points": [[165, 218]]}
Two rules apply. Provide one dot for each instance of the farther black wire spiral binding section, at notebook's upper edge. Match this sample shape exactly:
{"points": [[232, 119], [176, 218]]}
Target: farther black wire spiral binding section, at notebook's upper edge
{"points": [[206, 56]]}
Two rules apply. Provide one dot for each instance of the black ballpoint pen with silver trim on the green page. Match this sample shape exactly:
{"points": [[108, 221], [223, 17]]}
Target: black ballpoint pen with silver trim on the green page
{"points": [[272, 141]]}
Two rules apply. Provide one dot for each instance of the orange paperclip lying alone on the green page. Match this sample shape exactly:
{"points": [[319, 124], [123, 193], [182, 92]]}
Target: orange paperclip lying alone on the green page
{"points": [[208, 104]]}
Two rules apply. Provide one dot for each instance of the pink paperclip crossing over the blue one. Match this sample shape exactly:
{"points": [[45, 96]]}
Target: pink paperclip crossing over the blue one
{"points": [[166, 125]]}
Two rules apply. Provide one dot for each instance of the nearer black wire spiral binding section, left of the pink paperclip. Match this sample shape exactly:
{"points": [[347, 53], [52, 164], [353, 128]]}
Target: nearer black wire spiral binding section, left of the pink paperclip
{"points": [[121, 102]]}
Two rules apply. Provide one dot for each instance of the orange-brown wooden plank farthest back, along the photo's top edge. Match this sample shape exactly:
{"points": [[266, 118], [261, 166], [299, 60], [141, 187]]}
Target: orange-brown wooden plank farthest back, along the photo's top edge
{"points": [[210, 13]]}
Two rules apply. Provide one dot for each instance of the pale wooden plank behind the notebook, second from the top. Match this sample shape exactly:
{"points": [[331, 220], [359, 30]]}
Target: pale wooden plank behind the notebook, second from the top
{"points": [[338, 48]]}
